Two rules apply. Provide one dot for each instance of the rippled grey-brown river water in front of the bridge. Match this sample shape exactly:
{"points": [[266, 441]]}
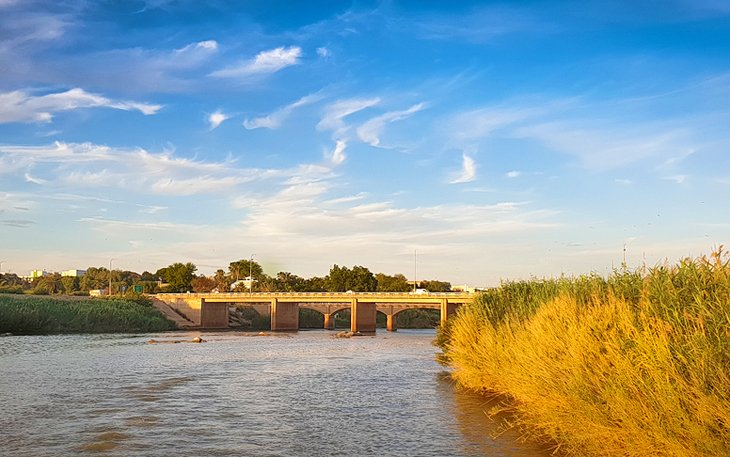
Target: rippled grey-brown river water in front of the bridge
{"points": [[298, 394]]}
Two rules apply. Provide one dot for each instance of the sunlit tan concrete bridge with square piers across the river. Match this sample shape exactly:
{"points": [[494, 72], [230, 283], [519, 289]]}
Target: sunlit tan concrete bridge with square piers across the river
{"points": [[210, 310]]}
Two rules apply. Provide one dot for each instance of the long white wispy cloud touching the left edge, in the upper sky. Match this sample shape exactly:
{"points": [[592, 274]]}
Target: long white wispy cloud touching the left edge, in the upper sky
{"points": [[19, 106]]}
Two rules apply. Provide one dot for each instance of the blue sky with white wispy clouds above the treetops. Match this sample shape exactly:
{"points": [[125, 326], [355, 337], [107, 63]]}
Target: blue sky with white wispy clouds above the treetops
{"points": [[496, 140]]}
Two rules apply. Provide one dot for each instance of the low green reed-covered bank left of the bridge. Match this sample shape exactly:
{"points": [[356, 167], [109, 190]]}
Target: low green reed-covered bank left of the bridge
{"points": [[33, 315]]}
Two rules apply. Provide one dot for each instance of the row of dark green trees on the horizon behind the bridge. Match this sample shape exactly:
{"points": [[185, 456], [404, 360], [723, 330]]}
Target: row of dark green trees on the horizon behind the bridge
{"points": [[240, 274]]}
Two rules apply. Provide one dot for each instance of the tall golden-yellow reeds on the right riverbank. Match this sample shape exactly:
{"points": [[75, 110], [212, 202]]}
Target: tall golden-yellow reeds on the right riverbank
{"points": [[634, 365]]}
